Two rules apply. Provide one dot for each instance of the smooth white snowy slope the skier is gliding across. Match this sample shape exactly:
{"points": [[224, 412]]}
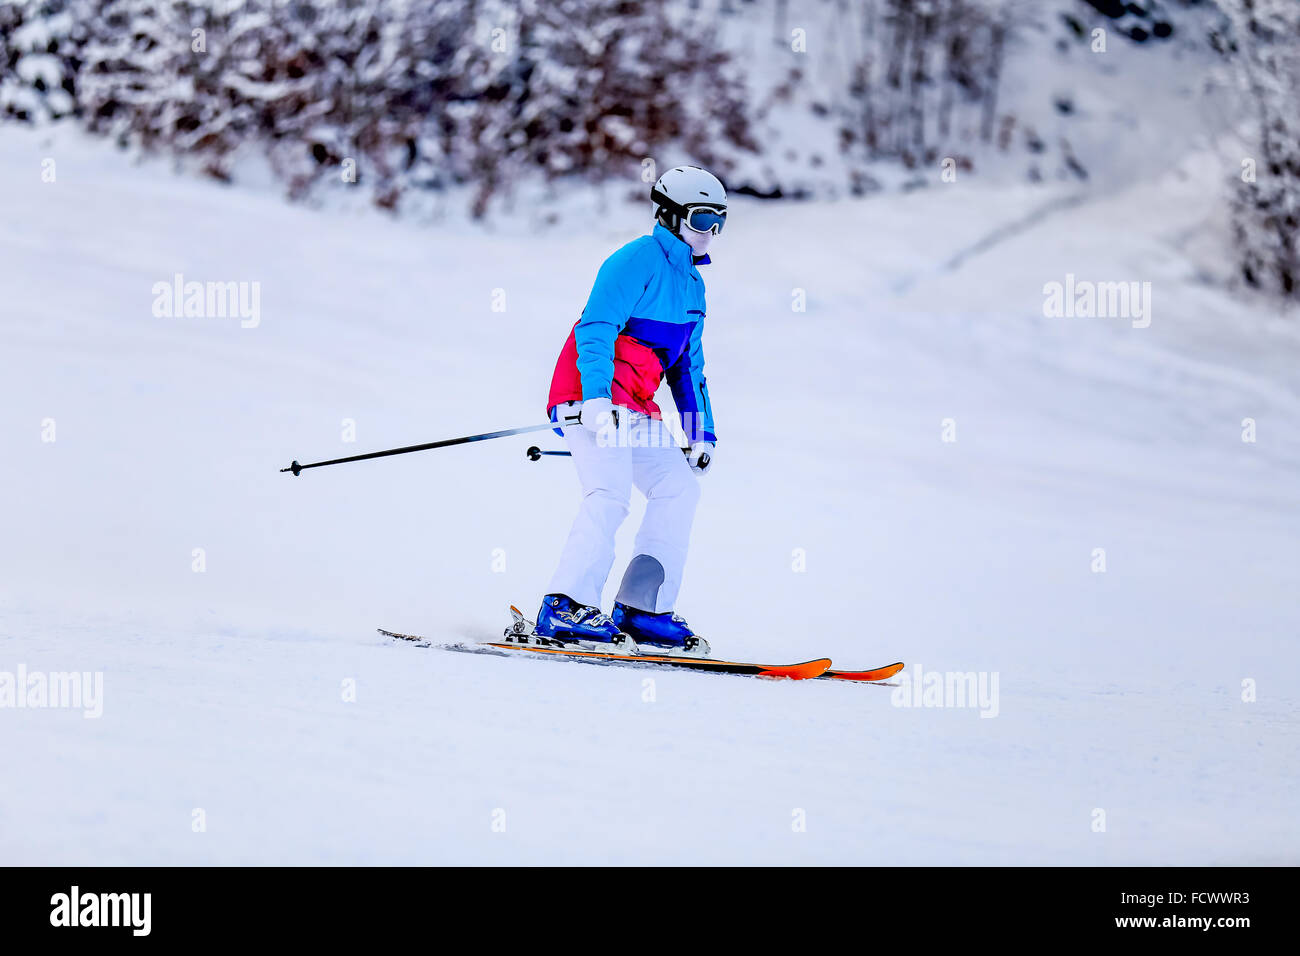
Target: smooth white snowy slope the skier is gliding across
{"points": [[223, 690]]}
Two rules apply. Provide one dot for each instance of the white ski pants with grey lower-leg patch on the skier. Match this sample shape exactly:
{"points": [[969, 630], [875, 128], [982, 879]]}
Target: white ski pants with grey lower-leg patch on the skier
{"points": [[645, 456]]}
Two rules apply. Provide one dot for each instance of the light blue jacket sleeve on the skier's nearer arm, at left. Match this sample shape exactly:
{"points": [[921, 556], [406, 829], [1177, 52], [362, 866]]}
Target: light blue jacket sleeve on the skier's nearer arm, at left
{"points": [[619, 287]]}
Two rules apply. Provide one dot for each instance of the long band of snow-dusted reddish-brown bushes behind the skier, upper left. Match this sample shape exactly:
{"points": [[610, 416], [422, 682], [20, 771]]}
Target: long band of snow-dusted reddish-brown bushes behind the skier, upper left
{"points": [[395, 94]]}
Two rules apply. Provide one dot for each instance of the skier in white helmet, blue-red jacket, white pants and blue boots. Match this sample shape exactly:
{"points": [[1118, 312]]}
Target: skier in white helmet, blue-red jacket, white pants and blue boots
{"points": [[643, 323]]}
